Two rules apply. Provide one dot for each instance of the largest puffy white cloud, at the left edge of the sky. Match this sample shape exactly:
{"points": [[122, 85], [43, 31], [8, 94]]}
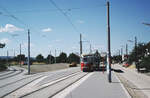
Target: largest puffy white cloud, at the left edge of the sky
{"points": [[10, 28]]}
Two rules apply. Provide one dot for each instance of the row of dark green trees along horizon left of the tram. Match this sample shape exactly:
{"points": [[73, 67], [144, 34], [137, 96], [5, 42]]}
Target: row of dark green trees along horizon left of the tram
{"points": [[50, 59]]}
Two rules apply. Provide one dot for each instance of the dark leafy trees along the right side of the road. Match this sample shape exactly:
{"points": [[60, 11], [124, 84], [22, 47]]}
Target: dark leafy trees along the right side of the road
{"points": [[140, 55]]}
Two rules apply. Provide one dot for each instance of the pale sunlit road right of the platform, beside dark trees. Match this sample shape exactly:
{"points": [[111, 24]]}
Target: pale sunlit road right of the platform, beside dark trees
{"points": [[141, 81]]}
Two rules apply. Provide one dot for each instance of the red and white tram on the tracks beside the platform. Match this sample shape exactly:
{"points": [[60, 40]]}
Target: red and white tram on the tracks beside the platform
{"points": [[90, 62]]}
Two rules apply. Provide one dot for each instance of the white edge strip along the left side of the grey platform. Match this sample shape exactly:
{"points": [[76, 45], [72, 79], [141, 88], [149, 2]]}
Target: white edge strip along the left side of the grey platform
{"points": [[69, 89]]}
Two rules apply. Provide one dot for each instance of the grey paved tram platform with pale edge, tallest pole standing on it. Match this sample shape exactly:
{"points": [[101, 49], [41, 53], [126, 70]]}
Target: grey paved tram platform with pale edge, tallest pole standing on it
{"points": [[96, 86]]}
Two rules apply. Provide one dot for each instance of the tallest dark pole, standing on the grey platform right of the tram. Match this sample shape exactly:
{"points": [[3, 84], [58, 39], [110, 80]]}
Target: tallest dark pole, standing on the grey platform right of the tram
{"points": [[109, 50]]}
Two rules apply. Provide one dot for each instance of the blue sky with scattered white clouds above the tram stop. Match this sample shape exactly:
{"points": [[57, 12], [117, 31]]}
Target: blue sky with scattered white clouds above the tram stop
{"points": [[52, 29]]}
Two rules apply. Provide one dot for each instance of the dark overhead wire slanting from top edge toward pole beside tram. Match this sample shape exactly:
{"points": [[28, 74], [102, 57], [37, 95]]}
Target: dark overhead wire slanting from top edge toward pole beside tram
{"points": [[67, 17]]}
